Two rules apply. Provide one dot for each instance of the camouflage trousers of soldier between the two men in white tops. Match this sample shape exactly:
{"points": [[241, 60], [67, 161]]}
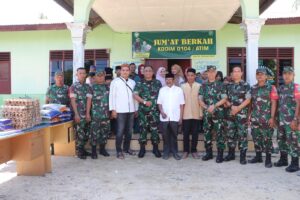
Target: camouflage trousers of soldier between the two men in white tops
{"points": [[148, 124]]}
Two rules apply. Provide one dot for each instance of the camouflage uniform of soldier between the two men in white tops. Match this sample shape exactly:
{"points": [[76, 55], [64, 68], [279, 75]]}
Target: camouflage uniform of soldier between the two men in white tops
{"points": [[148, 116]]}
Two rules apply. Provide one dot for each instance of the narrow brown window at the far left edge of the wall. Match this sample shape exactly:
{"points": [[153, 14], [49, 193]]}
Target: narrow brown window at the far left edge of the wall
{"points": [[5, 73]]}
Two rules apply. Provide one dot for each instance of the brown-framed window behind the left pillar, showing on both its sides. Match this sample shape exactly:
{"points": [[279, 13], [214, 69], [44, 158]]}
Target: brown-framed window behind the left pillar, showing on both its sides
{"points": [[63, 61]]}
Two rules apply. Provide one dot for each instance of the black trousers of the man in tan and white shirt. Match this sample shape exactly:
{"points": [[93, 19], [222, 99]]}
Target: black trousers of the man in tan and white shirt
{"points": [[190, 126]]}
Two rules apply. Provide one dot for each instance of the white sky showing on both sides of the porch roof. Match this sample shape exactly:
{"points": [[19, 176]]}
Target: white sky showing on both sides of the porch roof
{"points": [[30, 11]]}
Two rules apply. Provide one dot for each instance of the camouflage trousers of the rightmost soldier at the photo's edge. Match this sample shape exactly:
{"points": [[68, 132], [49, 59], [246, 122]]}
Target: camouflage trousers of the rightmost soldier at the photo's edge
{"points": [[288, 140]]}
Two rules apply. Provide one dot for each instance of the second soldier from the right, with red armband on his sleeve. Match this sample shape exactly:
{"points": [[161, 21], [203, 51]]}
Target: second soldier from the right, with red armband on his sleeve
{"points": [[263, 107]]}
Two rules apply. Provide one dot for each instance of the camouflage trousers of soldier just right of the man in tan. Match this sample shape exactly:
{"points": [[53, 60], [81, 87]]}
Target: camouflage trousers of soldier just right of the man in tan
{"points": [[211, 123]]}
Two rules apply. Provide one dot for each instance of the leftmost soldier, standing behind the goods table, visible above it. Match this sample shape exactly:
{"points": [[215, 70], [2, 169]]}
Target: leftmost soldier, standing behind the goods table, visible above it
{"points": [[58, 92]]}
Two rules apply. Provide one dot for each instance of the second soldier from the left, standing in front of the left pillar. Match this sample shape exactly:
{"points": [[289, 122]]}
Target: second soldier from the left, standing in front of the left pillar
{"points": [[79, 93]]}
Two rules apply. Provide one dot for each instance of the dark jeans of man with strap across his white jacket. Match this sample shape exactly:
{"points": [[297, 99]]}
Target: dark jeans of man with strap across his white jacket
{"points": [[124, 129]]}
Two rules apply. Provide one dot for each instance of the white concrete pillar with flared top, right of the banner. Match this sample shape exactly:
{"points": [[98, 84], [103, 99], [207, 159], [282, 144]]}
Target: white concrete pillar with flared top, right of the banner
{"points": [[252, 29]]}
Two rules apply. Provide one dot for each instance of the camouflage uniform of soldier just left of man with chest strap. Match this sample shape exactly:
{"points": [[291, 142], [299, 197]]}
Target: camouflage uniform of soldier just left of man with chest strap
{"points": [[100, 125]]}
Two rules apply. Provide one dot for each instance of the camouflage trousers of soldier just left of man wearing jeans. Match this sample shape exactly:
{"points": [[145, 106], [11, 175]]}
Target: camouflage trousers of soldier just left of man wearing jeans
{"points": [[100, 131]]}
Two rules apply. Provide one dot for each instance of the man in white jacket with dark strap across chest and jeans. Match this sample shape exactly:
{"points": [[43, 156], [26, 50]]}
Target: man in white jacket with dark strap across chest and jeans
{"points": [[123, 107]]}
